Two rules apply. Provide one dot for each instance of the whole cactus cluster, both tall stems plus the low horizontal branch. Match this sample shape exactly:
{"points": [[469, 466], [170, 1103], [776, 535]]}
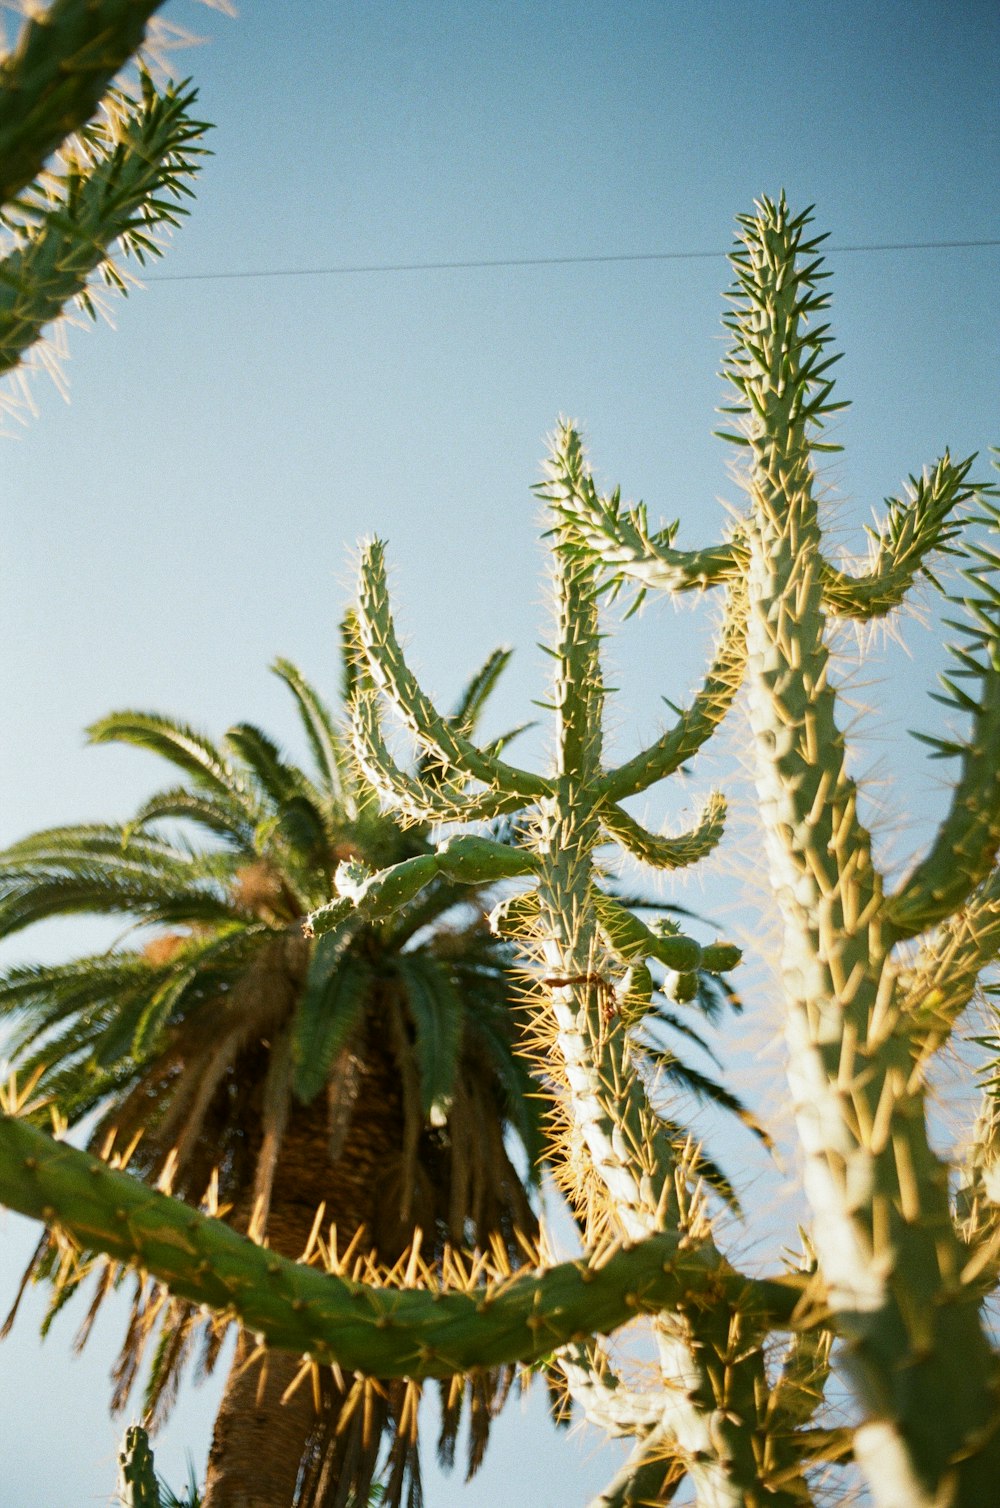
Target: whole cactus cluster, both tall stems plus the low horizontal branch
{"points": [[876, 979]]}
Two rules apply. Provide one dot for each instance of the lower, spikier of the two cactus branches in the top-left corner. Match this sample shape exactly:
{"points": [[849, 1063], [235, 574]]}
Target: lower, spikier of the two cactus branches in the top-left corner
{"points": [[115, 191]]}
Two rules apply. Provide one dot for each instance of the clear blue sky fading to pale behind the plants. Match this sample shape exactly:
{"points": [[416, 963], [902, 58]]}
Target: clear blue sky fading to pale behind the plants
{"points": [[194, 510]]}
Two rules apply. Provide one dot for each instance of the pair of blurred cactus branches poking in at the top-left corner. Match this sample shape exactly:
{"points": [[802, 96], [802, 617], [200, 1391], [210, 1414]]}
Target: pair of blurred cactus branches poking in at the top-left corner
{"points": [[118, 177]]}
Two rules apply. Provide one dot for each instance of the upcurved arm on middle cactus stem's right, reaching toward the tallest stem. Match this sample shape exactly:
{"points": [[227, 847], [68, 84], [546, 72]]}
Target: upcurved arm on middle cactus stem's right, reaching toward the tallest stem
{"points": [[701, 720]]}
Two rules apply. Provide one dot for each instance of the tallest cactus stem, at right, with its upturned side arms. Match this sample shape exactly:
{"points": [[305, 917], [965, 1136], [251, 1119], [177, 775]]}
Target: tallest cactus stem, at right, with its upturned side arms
{"points": [[863, 1019]]}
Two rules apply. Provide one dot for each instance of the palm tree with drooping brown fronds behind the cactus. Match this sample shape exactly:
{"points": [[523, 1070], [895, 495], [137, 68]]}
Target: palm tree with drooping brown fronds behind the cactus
{"points": [[229, 1058]]}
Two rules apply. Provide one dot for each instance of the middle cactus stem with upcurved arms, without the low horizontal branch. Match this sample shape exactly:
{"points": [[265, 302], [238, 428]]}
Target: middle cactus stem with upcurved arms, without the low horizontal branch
{"points": [[592, 955]]}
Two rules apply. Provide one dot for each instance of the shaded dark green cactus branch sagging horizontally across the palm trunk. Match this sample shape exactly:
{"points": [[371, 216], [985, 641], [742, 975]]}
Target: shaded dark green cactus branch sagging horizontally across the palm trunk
{"points": [[367, 1328]]}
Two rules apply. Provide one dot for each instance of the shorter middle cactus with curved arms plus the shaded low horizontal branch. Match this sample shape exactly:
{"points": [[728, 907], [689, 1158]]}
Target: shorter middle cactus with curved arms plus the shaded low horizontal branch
{"points": [[648, 1233]]}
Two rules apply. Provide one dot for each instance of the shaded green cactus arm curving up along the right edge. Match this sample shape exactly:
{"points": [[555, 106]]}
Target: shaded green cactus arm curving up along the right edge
{"points": [[965, 850]]}
